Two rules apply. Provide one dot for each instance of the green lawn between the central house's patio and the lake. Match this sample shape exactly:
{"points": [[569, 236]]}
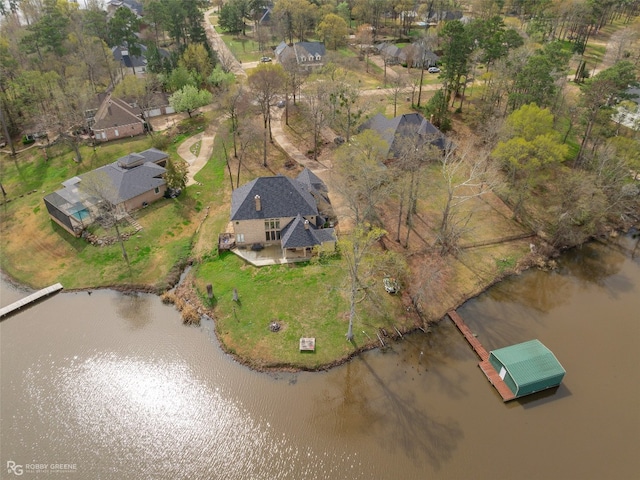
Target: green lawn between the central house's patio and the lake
{"points": [[306, 299]]}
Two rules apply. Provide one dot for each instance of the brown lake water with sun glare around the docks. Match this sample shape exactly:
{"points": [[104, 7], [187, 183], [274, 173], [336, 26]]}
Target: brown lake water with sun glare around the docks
{"points": [[113, 386]]}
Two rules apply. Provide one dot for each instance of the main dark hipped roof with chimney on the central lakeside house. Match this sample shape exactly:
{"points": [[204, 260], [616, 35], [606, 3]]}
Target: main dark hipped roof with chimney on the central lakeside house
{"points": [[278, 197]]}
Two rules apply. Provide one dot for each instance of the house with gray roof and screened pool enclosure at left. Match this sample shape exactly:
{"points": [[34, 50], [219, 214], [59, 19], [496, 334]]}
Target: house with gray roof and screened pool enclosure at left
{"points": [[129, 183]]}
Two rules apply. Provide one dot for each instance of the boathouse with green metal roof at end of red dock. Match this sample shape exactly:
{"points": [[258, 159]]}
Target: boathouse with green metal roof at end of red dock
{"points": [[527, 367]]}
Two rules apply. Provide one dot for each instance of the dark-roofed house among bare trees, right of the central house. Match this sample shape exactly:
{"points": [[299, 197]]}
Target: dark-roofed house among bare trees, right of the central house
{"points": [[396, 130]]}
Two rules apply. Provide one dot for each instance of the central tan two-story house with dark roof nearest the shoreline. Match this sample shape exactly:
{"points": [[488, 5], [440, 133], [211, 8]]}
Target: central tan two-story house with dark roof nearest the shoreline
{"points": [[281, 211]]}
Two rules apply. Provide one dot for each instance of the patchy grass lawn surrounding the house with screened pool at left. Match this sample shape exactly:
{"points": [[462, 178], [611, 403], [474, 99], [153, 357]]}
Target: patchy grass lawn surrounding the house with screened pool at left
{"points": [[54, 255]]}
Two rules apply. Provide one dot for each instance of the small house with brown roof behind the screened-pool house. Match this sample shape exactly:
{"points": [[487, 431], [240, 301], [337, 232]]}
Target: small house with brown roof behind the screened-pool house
{"points": [[115, 118]]}
